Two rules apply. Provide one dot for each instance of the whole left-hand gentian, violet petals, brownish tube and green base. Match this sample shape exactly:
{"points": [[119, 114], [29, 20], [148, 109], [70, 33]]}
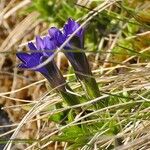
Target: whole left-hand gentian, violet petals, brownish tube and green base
{"points": [[39, 52]]}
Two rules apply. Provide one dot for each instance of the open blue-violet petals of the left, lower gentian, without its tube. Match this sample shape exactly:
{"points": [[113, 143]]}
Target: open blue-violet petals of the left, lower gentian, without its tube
{"points": [[37, 53]]}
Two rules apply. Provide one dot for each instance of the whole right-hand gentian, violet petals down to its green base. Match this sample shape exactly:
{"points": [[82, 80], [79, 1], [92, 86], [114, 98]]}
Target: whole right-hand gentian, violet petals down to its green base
{"points": [[75, 54]]}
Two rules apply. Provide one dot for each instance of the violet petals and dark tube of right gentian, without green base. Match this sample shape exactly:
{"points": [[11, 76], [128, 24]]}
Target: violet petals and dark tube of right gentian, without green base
{"points": [[73, 49]]}
